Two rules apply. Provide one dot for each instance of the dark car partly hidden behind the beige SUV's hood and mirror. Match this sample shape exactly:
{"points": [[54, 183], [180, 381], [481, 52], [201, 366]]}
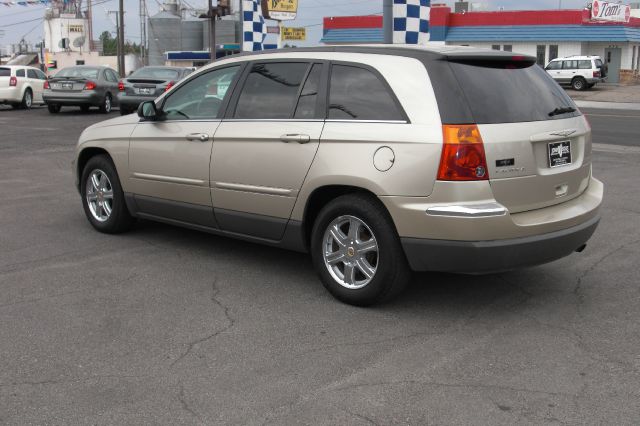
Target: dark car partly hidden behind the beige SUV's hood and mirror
{"points": [[147, 83]]}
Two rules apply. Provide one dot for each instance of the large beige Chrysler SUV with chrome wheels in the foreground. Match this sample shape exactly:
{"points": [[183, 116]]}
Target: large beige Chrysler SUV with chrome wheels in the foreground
{"points": [[376, 160]]}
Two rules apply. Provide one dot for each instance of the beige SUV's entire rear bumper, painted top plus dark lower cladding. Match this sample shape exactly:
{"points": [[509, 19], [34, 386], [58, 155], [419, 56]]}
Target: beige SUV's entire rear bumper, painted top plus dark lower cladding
{"points": [[495, 240]]}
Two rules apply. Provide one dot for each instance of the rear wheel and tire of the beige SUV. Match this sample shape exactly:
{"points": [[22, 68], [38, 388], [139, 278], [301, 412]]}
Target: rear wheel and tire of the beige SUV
{"points": [[356, 251]]}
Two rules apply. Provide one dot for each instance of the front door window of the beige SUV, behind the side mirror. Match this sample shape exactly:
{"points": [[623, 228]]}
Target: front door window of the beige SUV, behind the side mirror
{"points": [[200, 98]]}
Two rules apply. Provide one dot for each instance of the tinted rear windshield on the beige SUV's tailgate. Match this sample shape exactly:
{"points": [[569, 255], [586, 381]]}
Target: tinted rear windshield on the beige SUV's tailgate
{"points": [[503, 94]]}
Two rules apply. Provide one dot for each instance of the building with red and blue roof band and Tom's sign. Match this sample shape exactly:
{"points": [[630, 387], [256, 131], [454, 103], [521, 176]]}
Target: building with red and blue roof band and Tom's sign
{"points": [[544, 34]]}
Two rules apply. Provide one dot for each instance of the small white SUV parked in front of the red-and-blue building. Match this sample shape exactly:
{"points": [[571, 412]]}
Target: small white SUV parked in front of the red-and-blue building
{"points": [[580, 72]]}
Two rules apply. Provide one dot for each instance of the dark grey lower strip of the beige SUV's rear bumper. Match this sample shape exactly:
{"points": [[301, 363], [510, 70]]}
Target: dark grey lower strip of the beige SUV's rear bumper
{"points": [[494, 256]]}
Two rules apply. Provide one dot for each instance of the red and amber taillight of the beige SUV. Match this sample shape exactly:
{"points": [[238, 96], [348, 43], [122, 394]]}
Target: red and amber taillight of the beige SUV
{"points": [[463, 156]]}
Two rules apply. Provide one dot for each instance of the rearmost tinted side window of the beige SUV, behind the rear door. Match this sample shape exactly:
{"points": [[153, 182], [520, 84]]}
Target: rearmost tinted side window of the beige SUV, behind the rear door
{"points": [[358, 94]]}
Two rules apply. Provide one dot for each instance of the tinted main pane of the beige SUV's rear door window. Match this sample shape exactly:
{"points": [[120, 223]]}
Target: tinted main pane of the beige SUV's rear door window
{"points": [[271, 91]]}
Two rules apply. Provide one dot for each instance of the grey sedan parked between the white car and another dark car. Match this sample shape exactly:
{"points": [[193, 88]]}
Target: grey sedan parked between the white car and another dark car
{"points": [[82, 85]]}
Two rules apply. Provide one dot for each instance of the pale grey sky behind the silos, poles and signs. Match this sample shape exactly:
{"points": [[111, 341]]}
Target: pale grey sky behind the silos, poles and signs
{"points": [[19, 21]]}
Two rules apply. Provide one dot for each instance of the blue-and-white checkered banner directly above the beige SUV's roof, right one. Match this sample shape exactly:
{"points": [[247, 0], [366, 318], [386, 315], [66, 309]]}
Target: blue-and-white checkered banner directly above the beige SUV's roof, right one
{"points": [[411, 21]]}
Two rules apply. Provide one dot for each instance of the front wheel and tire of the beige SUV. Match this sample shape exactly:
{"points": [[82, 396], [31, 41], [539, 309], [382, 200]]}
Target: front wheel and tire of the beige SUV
{"points": [[102, 196]]}
